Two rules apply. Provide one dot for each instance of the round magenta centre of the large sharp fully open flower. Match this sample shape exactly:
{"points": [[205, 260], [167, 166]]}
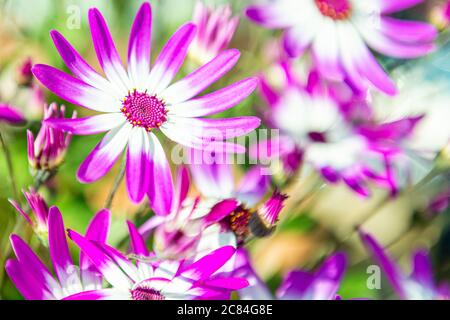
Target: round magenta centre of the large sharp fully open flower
{"points": [[144, 110]]}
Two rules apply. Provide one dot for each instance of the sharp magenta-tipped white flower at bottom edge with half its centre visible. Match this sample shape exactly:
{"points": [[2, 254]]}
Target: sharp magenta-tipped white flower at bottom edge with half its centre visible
{"points": [[151, 279]]}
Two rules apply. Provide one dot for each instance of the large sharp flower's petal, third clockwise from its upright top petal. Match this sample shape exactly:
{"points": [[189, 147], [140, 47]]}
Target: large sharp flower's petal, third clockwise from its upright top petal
{"points": [[217, 101]]}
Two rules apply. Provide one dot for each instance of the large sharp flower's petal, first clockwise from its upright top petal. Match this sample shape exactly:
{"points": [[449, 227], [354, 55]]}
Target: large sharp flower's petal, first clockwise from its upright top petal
{"points": [[171, 58]]}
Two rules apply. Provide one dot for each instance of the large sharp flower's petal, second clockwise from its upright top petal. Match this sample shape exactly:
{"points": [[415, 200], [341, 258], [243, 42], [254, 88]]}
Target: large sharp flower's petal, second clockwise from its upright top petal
{"points": [[201, 78]]}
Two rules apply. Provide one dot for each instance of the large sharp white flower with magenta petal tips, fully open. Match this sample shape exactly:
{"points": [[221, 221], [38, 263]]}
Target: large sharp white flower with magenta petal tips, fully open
{"points": [[138, 101]]}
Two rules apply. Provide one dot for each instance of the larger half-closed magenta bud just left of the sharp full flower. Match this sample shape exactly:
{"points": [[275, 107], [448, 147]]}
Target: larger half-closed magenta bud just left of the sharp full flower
{"points": [[47, 151]]}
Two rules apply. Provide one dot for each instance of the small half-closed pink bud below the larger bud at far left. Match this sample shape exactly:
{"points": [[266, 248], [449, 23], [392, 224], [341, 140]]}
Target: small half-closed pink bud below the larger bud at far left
{"points": [[38, 216]]}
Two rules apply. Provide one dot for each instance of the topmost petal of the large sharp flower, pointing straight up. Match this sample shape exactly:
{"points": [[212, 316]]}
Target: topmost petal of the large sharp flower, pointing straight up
{"points": [[139, 45]]}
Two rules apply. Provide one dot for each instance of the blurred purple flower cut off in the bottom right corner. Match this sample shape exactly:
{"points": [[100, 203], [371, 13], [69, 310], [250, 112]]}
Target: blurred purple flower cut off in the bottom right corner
{"points": [[417, 286]]}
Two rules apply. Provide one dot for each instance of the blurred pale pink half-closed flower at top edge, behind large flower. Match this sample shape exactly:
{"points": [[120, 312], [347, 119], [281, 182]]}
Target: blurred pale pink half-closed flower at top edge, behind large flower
{"points": [[215, 29]]}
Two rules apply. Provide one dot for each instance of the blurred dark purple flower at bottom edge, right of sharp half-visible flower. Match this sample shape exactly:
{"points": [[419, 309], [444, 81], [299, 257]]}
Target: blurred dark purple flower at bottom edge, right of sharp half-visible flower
{"points": [[322, 284]]}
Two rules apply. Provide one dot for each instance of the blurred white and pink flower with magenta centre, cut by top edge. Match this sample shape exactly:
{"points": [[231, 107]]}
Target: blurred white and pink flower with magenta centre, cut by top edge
{"points": [[338, 33]]}
